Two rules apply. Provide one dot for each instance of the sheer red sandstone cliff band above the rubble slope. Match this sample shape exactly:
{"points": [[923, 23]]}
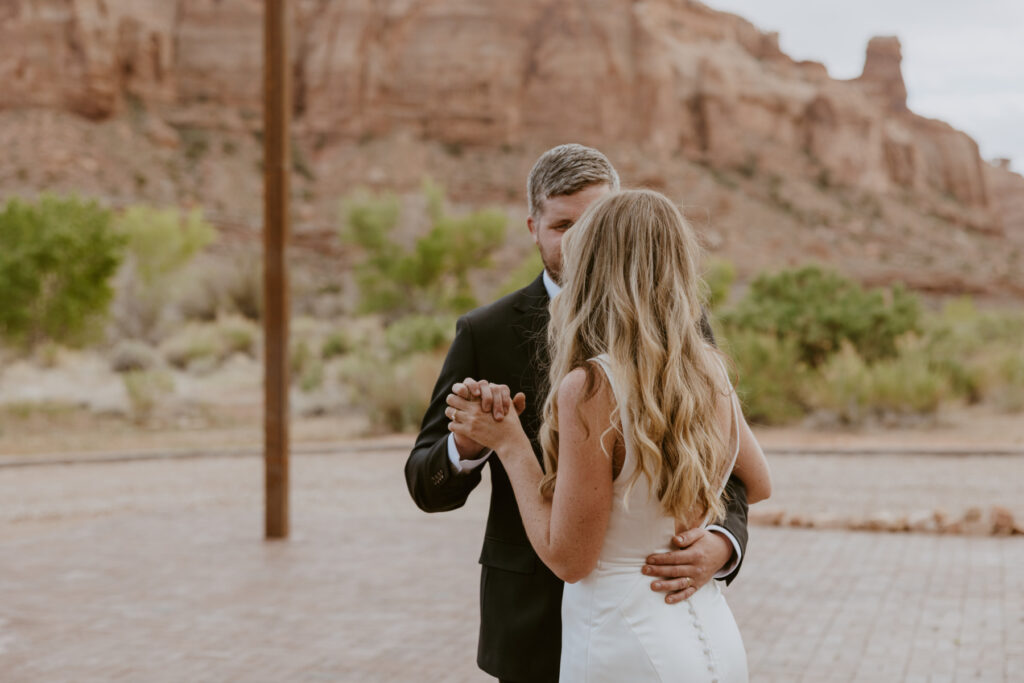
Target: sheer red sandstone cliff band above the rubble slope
{"points": [[669, 76]]}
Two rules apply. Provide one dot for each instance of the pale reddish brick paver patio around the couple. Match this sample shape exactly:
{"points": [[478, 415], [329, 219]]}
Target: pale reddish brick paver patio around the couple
{"points": [[157, 572]]}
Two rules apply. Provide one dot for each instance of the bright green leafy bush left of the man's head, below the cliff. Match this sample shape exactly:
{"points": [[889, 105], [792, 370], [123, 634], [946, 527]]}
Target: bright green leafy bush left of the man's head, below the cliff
{"points": [[431, 276]]}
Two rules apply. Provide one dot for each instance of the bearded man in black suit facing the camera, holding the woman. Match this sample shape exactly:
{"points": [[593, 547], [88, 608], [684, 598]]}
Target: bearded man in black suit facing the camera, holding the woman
{"points": [[504, 343]]}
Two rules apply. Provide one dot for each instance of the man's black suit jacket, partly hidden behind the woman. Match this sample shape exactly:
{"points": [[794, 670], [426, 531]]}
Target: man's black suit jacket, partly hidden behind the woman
{"points": [[521, 599]]}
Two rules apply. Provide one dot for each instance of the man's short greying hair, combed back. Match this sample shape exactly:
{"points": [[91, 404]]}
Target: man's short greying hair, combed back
{"points": [[566, 170]]}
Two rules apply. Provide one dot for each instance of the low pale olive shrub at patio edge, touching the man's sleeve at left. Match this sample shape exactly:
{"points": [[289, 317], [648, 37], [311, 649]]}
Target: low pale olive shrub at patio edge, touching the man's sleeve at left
{"points": [[395, 395]]}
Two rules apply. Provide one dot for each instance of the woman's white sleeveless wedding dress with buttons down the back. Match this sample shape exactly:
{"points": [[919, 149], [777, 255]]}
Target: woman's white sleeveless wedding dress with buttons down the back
{"points": [[617, 630]]}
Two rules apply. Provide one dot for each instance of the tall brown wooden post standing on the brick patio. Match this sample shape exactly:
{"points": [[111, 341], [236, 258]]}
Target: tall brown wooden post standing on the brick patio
{"points": [[277, 168]]}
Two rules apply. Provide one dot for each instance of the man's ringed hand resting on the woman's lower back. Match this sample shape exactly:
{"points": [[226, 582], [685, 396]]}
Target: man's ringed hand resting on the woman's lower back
{"points": [[681, 573]]}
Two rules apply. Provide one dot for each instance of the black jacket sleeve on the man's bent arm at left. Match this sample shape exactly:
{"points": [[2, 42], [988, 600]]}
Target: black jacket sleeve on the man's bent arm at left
{"points": [[434, 484]]}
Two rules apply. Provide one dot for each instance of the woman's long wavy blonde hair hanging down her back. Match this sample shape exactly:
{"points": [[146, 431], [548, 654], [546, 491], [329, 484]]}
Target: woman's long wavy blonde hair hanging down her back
{"points": [[631, 290]]}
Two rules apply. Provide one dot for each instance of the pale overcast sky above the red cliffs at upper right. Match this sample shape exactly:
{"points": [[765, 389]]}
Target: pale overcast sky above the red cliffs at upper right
{"points": [[963, 60]]}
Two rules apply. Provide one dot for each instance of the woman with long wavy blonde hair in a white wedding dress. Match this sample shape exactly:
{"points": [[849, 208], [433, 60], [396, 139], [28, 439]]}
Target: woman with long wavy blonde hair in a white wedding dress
{"points": [[642, 431]]}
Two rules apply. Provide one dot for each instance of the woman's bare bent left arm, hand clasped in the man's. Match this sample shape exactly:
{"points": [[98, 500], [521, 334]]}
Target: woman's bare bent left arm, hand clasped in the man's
{"points": [[568, 531]]}
